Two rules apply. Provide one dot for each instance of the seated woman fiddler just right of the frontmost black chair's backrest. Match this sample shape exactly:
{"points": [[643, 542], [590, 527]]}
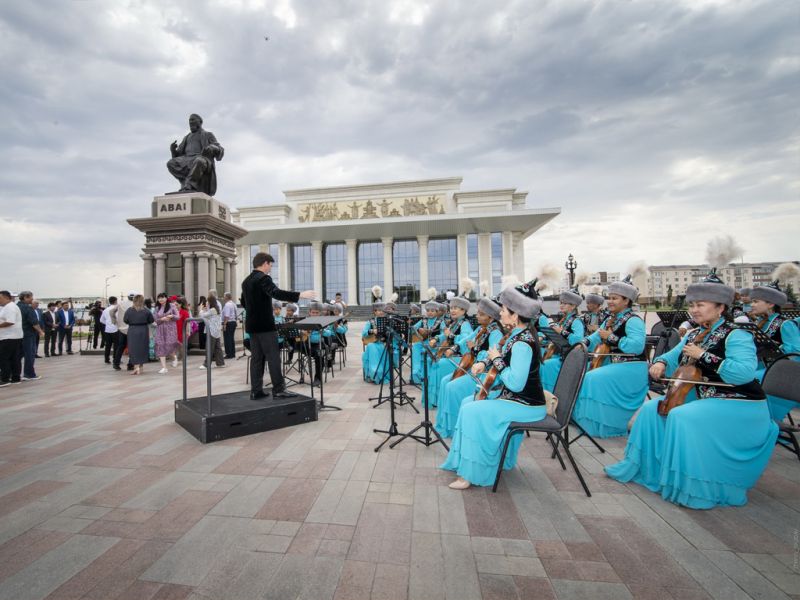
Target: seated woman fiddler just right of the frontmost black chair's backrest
{"points": [[612, 391]]}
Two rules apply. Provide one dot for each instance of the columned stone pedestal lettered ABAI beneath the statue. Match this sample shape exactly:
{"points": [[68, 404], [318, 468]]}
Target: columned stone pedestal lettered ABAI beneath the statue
{"points": [[190, 246]]}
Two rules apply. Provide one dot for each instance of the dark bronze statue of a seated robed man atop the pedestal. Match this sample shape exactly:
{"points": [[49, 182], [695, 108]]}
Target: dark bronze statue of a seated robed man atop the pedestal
{"points": [[192, 161]]}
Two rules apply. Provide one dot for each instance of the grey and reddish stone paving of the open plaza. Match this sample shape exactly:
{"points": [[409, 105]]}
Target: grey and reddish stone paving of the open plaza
{"points": [[102, 496]]}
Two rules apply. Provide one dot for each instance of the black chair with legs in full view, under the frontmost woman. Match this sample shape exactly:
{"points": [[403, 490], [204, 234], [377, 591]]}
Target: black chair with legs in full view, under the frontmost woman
{"points": [[568, 384]]}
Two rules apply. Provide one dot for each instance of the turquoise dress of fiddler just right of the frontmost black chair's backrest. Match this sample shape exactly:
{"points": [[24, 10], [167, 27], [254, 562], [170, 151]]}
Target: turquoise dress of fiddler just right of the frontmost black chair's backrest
{"points": [[611, 393]]}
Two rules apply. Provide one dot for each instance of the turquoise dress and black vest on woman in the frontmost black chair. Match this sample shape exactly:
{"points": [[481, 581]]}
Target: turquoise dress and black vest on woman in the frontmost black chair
{"points": [[482, 425]]}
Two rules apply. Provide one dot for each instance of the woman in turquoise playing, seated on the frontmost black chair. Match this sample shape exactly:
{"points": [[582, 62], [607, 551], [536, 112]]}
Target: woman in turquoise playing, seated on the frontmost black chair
{"points": [[517, 396]]}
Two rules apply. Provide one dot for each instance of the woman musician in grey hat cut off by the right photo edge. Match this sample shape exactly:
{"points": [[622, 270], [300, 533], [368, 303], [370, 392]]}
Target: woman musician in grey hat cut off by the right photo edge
{"points": [[765, 311]]}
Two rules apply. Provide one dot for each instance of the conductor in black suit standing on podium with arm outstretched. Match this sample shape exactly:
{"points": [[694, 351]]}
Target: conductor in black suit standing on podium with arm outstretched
{"points": [[258, 290]]}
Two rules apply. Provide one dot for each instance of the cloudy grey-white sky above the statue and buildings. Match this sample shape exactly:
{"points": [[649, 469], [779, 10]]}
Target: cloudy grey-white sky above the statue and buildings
{"points": [[654, 125]]}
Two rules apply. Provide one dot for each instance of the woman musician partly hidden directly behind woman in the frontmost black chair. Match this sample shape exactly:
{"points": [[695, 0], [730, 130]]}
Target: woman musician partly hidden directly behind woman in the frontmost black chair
{"points": [[457, 386]]}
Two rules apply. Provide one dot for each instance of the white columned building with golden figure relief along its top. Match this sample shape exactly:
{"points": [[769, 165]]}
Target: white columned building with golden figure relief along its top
{"points": [[405, 236]]}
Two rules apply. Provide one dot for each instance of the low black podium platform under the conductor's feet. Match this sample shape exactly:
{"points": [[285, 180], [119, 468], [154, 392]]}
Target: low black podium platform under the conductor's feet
{"points": [[234, 414]]}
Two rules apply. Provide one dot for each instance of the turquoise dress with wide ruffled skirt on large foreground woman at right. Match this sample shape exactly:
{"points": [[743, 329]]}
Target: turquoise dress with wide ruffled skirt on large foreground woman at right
{"points": [[707, 452]]}
